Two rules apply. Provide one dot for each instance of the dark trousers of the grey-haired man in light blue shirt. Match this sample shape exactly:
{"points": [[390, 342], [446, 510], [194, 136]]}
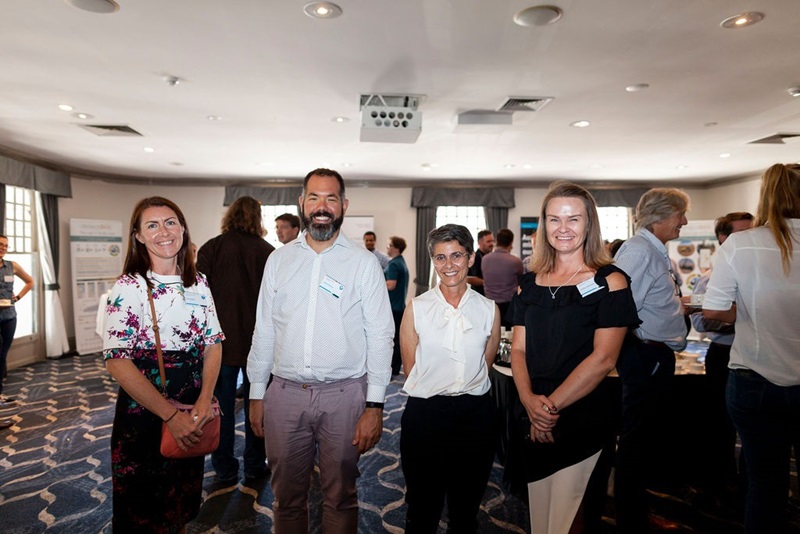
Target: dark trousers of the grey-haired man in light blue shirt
{"points": [[646, 372]]}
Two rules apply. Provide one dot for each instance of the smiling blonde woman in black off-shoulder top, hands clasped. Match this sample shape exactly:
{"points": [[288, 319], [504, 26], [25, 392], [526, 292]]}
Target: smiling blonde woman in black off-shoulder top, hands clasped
{"points": [[570, 317]]}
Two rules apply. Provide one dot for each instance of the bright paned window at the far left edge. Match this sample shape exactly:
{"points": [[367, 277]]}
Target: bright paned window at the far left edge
{"points": [[19, 229]]}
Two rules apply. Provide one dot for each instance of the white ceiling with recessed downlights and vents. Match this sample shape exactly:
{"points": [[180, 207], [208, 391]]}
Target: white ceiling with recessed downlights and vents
{"points": [[277, 78]]}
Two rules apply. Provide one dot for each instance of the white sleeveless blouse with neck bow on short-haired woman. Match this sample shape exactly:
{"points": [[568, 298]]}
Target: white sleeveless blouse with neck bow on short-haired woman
{"points": [[450, 356]]}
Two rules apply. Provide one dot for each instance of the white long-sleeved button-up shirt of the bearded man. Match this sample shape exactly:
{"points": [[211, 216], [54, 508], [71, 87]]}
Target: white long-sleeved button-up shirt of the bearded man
{"points": [[322, 318]]}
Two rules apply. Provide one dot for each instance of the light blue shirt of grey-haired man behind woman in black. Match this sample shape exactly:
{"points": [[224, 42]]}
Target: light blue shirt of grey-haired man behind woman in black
{"points": [[644, 258]]}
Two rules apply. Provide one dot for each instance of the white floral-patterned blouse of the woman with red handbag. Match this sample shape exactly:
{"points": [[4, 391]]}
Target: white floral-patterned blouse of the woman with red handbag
{"points": [[186, 316]]}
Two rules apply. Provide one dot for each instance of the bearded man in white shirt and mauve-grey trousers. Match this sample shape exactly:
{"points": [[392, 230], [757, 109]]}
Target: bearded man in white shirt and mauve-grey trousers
{"points": [[324, 332]]}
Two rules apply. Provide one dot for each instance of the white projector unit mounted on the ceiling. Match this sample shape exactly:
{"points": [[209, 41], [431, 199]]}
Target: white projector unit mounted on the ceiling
{"points": [[390, 119]]}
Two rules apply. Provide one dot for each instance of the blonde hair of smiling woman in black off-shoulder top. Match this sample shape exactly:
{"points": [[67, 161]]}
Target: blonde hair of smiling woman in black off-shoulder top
{"points": [[595, 254]]}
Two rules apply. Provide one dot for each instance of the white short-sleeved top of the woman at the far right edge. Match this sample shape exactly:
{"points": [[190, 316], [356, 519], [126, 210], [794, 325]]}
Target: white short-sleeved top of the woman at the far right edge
{"points": [[748, 271]]}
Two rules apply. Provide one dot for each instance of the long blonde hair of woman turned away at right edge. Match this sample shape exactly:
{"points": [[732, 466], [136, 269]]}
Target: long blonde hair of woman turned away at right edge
{"points": [[780, 200]]}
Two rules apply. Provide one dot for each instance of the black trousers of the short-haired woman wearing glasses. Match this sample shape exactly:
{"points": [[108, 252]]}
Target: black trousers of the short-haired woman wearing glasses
{"points": [[447, 447]]}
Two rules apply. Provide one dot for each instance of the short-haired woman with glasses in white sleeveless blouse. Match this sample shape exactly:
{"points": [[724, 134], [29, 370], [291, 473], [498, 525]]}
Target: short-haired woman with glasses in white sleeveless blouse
{"points": [[448, 341]]}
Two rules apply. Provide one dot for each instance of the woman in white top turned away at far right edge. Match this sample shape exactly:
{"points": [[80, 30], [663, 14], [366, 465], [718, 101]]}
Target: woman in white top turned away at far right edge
{"points": [[756, 282]]}
